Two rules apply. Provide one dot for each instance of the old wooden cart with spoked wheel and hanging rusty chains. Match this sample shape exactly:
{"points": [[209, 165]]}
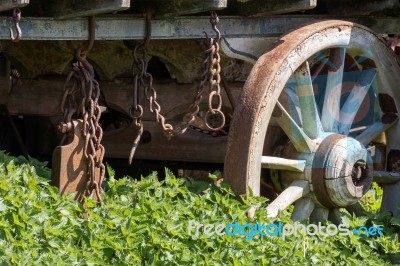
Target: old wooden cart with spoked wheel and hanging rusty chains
{"points": [[312, 114]]}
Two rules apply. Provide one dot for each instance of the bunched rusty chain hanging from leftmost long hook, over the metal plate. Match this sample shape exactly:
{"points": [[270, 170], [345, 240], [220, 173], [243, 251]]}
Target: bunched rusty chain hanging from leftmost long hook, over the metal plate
{"points": [[81, 100]]}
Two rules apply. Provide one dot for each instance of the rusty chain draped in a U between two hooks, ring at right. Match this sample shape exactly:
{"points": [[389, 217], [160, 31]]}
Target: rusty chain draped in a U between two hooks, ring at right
{"points": [[143, 79]]}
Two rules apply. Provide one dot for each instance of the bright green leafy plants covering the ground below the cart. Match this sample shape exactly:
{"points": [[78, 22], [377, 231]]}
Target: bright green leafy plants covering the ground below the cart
{"points": [[145, 222]]}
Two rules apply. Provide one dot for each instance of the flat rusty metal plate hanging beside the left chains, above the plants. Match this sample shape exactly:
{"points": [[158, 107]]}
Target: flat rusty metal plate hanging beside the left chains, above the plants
{"points": [[70, 168]]}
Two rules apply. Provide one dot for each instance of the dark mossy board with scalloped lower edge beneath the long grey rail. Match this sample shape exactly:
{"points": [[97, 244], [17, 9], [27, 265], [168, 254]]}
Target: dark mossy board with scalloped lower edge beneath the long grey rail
{"points": [[182, 58]]}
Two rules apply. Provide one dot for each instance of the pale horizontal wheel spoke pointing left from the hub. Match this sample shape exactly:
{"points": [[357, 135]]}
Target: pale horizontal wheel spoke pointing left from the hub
{"points": [[283, 164]]}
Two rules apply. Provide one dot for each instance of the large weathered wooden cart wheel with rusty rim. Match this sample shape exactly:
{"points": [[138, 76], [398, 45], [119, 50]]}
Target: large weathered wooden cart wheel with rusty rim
{"points": [[332, 88]]}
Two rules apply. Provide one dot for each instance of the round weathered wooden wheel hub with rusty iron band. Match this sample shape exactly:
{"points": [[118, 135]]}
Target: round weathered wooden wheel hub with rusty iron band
{"points": [[341, 171]]}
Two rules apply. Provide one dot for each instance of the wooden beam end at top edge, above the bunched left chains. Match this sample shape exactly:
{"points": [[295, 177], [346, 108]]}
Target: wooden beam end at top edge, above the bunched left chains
{"points": [[78, 8]]}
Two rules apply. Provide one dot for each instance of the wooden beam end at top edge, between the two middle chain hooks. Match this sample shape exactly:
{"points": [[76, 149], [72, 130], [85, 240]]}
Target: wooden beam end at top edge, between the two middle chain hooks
{"points": [[174, 8]]}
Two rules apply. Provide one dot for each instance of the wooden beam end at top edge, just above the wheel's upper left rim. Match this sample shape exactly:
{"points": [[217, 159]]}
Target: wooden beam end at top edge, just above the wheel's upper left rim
{"points": [[271, 7]]}
